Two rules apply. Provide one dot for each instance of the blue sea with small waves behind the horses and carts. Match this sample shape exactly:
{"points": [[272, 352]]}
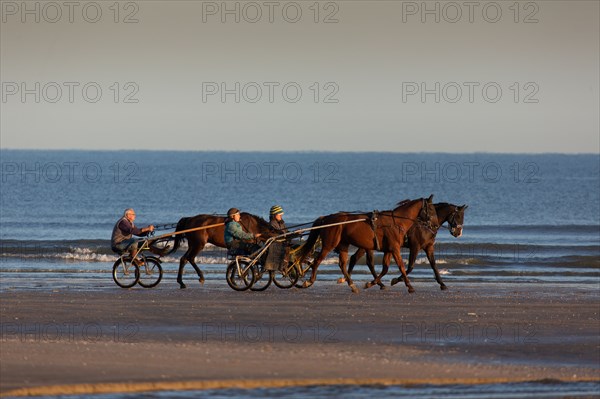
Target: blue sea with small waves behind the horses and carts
{"points": [[531, 218]]}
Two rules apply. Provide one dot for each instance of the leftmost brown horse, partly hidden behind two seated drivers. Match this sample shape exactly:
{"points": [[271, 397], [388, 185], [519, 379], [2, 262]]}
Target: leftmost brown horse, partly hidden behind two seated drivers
{"points": [[214, 235]]}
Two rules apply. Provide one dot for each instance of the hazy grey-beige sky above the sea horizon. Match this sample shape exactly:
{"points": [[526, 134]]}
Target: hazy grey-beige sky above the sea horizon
{"points": [[398, 76]]}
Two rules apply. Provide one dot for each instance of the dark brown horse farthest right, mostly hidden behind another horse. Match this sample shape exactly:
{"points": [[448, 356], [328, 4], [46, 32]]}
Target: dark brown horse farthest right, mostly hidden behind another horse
{"points": [[420, 236]]}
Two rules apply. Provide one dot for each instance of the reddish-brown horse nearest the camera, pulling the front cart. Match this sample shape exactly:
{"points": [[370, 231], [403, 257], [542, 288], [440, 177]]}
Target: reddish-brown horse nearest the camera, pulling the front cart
{"points": [[385, 233]]}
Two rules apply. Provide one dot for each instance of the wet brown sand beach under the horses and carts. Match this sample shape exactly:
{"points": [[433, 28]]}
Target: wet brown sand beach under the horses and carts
{"points": [[76, 341]]}
